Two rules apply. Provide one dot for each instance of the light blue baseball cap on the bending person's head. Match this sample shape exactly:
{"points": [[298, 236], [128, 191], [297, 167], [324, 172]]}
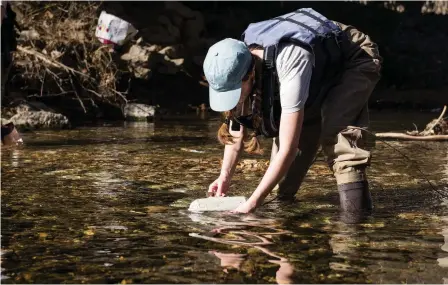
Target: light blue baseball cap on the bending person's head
{"points": [[225, 65]]}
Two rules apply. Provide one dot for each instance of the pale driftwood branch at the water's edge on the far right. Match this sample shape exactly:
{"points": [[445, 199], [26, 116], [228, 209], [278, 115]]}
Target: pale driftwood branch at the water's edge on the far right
{"points": [[436, 130]]}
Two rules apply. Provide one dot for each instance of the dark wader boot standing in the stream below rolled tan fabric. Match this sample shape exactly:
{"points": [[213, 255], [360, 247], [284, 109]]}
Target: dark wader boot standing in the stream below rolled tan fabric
{"points": [[355, 201]]}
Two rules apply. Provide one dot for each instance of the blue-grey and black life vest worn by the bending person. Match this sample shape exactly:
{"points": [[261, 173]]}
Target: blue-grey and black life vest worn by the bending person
{"points": [[308, 29]]}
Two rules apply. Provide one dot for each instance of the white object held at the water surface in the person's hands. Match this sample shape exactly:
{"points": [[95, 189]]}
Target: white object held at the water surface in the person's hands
{"points": [[216, 204]]}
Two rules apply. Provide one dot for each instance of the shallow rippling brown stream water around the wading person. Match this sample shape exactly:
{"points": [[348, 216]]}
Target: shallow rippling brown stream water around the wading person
{"points": [[108, 204]]}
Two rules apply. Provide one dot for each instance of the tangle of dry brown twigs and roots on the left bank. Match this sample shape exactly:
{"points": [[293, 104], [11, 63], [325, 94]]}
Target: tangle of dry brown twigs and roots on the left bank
{"points": [[63, 57]]}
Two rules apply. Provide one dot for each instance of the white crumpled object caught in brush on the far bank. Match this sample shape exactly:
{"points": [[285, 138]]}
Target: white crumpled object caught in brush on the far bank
{"points": [[113, 30]]}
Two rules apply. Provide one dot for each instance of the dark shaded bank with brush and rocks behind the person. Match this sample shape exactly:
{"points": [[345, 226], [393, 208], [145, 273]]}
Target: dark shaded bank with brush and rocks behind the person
{"points": [[62, 64]]}
